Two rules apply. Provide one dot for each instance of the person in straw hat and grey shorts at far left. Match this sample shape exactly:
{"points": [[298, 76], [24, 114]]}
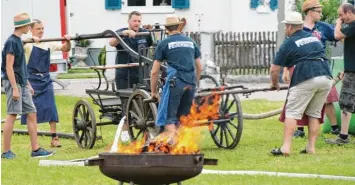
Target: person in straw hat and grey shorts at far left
{"points": [[18, 90]]}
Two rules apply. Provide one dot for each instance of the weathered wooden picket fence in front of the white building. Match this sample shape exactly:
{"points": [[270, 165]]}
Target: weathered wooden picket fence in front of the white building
{"points": [[244, 53]]}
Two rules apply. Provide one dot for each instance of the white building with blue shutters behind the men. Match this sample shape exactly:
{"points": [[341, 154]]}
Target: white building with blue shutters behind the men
{"points": [[94, 16]]}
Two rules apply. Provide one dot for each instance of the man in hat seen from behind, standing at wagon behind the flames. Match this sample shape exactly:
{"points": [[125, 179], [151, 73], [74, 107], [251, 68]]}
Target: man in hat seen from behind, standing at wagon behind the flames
{"points": [[184, 69]]}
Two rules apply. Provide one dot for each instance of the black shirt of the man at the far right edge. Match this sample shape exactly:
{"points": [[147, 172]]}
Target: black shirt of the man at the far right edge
{"points": [[349, 47]]}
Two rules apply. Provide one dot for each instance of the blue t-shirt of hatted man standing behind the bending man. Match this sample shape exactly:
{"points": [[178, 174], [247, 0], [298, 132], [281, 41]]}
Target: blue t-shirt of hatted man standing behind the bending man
{"points": [[323, 31]]}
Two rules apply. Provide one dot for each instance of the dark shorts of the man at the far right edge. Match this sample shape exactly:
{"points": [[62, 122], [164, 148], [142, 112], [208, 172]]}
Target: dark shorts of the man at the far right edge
{"points": [[347, 93]]}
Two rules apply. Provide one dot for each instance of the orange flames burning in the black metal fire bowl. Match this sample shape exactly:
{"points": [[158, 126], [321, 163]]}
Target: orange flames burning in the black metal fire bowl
{"points": [[189, 134]]}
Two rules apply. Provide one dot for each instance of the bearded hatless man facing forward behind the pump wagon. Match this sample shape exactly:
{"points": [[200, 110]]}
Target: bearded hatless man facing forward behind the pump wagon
{"points": [[123, 74]]}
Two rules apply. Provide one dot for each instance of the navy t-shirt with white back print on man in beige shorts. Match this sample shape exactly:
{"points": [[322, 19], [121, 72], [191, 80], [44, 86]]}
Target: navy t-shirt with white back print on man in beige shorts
{"points": [[306, 53]]}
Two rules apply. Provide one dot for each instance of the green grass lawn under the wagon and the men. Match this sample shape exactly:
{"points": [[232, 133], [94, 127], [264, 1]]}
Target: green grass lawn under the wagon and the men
{"points": [[252, 153]]}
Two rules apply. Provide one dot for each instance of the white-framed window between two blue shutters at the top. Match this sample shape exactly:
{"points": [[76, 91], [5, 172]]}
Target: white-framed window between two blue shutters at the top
{"points": [[147, 6]]}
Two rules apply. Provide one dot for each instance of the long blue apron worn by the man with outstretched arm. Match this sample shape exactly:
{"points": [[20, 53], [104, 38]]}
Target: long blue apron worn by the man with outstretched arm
{"points": [[41, 82]]}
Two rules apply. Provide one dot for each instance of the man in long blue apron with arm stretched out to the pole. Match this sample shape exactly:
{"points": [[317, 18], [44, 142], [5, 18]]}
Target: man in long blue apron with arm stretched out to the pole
{"points": [[38, 62]]}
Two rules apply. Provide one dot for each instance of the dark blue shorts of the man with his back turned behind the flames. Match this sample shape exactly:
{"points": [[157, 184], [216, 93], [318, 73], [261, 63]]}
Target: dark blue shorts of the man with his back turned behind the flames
{"points": [[180, 101]]}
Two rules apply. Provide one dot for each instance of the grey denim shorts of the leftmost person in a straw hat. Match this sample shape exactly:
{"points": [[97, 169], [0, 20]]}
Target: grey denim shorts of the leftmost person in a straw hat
{"points": [[24, 105]]}
